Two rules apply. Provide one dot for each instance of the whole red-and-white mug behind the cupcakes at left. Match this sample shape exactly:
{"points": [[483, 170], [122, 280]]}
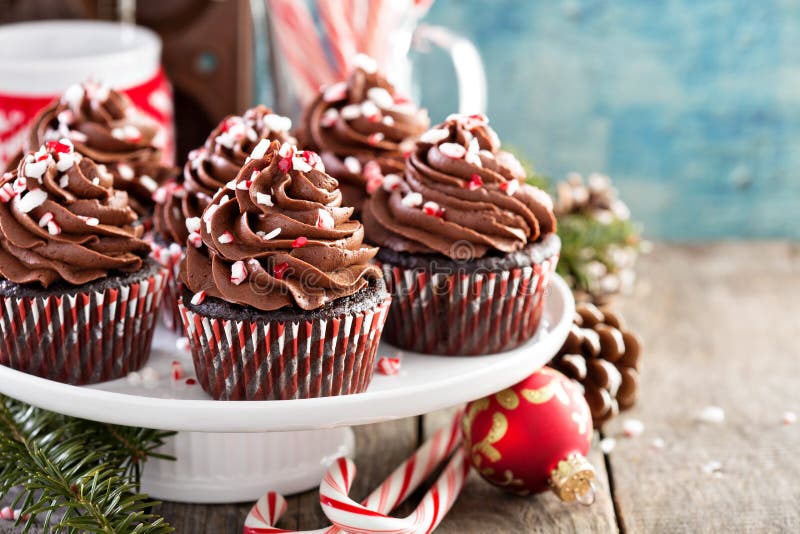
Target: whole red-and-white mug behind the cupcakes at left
{"points": [[39, 60]]}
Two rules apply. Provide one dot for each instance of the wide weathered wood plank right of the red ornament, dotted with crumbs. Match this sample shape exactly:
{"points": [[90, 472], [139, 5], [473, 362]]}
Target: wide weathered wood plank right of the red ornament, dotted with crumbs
{"points": [[720, 324]]}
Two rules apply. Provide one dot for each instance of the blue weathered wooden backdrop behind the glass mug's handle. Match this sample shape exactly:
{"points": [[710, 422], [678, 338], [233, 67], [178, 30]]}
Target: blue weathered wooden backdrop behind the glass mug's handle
{"points": [[692, 106]]}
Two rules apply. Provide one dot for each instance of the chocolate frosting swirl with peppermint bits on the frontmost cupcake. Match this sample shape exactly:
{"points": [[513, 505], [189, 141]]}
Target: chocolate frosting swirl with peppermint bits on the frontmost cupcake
{"points": [[278, 237]]}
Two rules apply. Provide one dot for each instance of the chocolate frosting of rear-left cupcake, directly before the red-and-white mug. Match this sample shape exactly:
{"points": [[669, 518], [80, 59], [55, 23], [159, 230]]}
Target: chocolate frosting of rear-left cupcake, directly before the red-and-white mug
{"points": [[105, 126]]}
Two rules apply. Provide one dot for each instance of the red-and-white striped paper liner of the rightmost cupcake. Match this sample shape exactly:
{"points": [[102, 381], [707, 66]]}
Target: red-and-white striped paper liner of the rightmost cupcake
{"points": [[465, 313]]}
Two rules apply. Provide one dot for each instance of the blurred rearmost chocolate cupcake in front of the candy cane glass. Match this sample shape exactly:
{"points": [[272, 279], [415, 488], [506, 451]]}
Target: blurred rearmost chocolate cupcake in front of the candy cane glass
{"points": [[362, 128]]}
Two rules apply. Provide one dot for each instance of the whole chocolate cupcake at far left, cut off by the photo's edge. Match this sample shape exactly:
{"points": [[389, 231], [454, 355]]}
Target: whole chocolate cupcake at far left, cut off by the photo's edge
{"points": [[79, 294]]}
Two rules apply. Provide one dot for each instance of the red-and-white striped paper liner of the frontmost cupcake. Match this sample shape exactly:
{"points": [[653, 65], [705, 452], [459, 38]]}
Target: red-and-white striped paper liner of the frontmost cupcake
{"points": [[269, 360]]}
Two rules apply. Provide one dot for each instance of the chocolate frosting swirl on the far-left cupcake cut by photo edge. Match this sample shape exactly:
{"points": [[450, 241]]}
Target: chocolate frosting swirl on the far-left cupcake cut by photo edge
{"points": [[61, 220]]}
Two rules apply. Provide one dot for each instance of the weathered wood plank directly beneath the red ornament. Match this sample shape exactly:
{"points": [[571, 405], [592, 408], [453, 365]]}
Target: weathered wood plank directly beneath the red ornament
{"points": [[482, 508]]}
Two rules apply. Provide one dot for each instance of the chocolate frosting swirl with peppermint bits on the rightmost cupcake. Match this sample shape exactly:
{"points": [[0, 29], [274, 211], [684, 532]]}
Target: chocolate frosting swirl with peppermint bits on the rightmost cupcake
{"points": [[460, 196]]}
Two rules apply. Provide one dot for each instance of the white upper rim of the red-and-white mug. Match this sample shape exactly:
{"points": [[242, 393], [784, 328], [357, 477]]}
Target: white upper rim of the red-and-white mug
{"points": [[47, 76]]}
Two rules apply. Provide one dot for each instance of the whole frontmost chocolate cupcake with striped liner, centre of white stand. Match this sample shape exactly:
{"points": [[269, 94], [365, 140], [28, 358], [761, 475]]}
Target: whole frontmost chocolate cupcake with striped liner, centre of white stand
{"points": [[281, 300]]}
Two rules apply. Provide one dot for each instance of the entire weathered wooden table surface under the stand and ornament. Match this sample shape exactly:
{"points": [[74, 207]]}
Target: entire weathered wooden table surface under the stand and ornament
{"points": [[720, 324]]}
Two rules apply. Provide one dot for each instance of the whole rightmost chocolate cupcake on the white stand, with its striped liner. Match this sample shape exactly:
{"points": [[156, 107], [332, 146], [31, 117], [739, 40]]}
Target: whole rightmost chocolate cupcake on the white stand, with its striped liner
{"points": [[467, 248]]}
